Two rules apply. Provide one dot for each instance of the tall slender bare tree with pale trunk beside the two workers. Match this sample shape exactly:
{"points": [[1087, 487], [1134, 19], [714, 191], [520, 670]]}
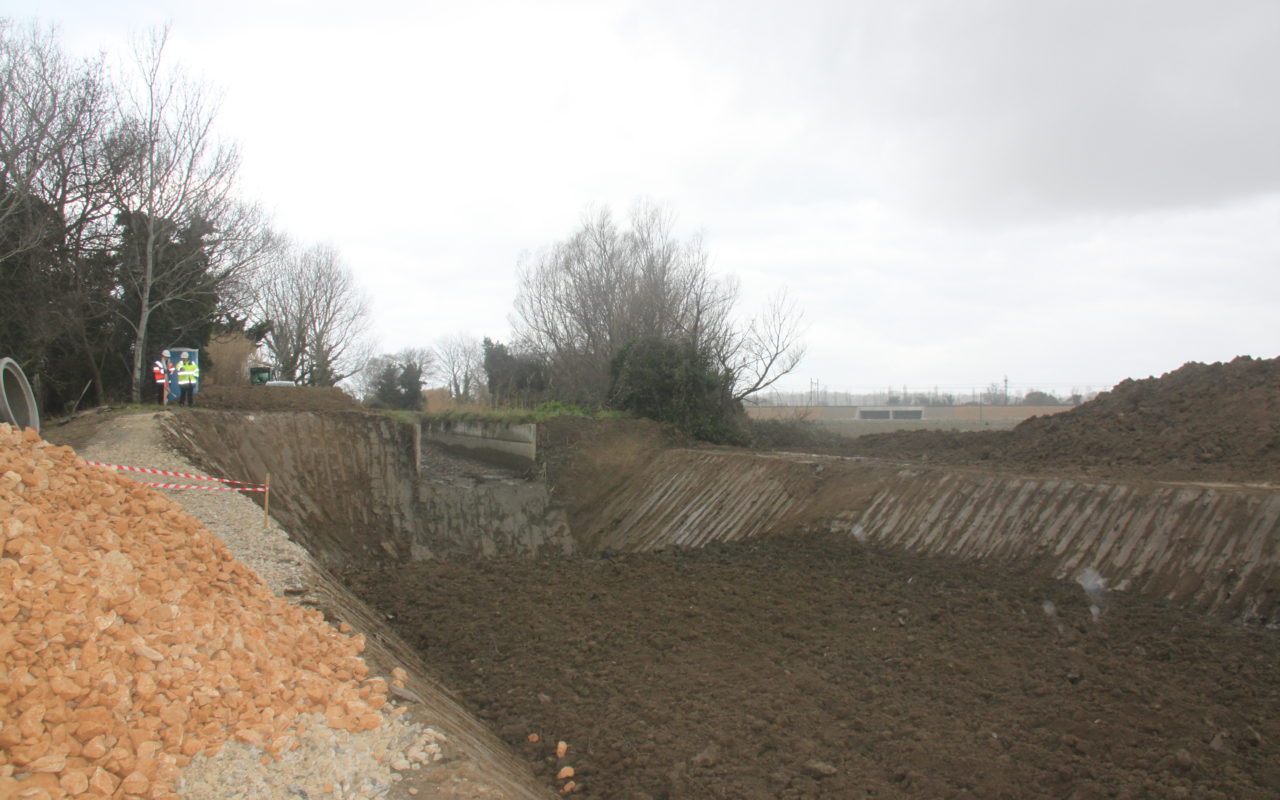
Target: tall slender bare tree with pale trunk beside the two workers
{"points": [[185, 237]]}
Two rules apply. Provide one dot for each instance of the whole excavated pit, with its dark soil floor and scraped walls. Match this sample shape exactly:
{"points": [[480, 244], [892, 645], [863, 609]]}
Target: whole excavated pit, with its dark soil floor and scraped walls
{"points": [[703, 623]]}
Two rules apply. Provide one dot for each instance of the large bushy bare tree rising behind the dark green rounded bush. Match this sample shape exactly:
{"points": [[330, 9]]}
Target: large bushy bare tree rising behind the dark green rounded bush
{"points": [[583, 300]]}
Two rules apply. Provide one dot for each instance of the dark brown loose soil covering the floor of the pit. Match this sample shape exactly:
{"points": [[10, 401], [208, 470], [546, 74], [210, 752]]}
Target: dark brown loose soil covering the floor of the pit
{"points": [[817, 668]]}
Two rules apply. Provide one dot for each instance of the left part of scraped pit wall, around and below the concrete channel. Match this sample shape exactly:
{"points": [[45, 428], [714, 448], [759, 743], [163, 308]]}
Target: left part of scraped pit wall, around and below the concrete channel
{"points": [[356, 487]]}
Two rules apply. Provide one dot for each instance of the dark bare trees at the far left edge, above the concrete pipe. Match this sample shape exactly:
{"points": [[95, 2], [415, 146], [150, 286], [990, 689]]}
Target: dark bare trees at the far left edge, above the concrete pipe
{"points": [[53, 207]]}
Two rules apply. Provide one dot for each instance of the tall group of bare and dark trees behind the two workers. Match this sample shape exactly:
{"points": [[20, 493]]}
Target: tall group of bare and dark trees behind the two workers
{"points": [[122, 232]]}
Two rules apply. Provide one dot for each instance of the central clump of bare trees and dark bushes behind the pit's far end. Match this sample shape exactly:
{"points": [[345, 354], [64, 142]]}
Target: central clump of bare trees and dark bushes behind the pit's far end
{"points": [[624, 317]]}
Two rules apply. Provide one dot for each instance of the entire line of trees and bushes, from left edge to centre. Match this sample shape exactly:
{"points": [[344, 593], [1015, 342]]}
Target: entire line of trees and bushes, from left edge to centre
{"points": [[122, 235]]}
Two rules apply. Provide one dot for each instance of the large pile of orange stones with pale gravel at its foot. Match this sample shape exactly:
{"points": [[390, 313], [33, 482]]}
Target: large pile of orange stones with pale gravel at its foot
{"points": [[141, 659]]}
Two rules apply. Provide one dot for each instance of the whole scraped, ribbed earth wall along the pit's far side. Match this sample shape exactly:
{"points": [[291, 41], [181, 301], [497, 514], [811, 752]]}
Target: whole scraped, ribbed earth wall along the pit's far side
{"points": [[360, 490]]}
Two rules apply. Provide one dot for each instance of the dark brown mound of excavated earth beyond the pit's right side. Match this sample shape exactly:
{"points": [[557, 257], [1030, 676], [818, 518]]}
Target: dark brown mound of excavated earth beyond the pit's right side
{"points": [[1215, 422]]}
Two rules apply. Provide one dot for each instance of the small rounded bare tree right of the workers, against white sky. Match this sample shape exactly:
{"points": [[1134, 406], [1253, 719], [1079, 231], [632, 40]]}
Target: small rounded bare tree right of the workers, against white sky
{"points": [[318, 316]]}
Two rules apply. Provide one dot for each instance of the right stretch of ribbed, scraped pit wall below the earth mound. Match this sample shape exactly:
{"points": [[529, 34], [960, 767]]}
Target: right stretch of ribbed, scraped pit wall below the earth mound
{"points": [[1214, 548]]}
